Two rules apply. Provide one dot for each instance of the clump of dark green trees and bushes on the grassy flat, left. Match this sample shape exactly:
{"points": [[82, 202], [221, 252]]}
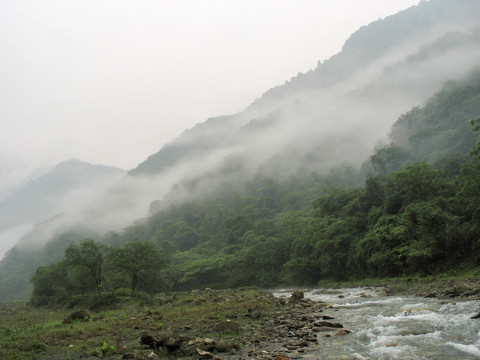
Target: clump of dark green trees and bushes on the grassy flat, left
{"points": [[90, 268]]}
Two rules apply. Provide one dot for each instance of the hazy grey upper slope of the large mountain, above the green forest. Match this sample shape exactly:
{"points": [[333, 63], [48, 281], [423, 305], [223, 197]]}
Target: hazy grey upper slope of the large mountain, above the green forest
{"points": [[353, 97]]}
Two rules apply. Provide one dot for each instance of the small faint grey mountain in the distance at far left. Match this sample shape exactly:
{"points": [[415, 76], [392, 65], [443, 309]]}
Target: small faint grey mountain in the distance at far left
{"points": [[69, 185]]}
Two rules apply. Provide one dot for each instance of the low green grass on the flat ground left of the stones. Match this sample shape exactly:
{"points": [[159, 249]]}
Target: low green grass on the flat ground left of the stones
{"points": [[116, 330]]}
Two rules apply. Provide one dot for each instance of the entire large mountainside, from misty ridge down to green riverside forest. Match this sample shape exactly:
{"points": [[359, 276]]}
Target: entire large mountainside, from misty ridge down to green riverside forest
{"points": [[276, 194]]}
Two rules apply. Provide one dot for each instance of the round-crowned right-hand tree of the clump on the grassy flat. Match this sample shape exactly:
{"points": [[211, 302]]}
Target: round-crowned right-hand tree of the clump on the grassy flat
{"points": [[139, 259]]}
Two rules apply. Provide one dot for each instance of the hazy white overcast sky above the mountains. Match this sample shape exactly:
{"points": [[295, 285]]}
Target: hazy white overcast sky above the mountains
{"points": [[111, 82]]}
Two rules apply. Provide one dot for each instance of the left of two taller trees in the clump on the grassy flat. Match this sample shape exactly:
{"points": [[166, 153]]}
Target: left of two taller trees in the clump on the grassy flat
{"points": [[89, 257]]}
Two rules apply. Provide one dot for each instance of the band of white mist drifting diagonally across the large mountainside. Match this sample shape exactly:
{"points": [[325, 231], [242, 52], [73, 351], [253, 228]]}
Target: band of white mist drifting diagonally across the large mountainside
{"points": [[339, 124]]}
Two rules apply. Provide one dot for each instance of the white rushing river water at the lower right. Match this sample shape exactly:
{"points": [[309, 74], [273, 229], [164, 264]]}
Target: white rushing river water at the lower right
{"points": [[393, 327]]}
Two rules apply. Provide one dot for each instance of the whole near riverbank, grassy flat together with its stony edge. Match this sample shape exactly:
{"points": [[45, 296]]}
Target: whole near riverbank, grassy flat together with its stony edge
{"points": [[208, 324]]}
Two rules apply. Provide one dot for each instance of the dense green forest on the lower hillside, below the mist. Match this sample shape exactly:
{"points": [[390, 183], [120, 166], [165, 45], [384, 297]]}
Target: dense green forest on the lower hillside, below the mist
{"points": [[416, 213]]}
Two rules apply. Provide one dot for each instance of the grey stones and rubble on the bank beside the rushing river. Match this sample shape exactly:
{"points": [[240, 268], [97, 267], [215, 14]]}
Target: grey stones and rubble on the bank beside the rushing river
{"points": [[289, 331]]}
